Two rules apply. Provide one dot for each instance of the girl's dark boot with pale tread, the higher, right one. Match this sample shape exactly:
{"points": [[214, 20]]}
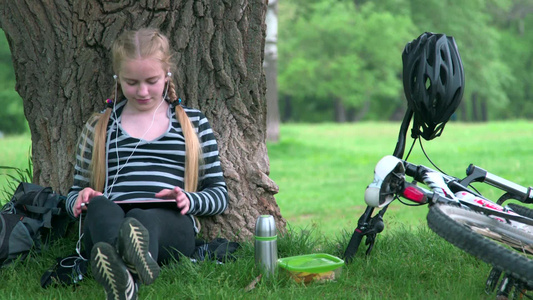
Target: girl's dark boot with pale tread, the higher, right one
{"points": [[133, 244]]}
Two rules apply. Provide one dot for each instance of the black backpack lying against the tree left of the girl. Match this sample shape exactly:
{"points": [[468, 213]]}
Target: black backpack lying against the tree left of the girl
{"points": [[34, 216]]}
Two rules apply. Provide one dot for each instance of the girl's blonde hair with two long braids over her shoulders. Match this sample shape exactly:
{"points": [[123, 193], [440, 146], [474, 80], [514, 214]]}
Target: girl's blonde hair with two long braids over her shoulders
{"points": [[145, 43]]}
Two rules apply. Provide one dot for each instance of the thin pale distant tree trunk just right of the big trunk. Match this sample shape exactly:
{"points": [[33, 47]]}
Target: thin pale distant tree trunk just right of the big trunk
{"points": [[271, 71]]}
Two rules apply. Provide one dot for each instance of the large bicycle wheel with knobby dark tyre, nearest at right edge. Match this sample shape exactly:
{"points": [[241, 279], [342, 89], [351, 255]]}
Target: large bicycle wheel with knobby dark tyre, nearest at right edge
{"points": [[486, 238]]}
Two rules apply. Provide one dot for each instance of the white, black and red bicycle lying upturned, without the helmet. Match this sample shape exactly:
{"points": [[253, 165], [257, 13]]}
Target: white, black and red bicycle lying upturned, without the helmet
{"points": [[458, 213]]}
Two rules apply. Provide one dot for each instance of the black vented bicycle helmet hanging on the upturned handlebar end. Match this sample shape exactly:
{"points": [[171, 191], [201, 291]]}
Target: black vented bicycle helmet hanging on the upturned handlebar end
{"points": [[433, 82]]}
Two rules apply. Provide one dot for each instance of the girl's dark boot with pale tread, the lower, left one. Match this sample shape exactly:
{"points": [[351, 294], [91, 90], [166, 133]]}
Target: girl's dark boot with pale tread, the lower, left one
{"points": [[109, 270]]}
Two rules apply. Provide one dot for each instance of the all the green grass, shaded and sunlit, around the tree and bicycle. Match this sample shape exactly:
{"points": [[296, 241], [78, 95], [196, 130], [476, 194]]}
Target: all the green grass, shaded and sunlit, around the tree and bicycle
{"points": [[322, 171]]}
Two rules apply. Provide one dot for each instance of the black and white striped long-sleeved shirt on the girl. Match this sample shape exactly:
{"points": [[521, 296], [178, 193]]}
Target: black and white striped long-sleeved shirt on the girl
{"points": [[147, 167]]}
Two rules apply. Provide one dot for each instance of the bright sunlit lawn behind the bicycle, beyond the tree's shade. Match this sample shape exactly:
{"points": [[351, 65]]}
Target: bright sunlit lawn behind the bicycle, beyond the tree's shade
{"points": [[322, 170]]}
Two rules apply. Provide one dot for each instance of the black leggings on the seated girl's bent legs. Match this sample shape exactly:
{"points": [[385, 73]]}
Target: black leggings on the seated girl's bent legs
{"points": [[170, 231]]}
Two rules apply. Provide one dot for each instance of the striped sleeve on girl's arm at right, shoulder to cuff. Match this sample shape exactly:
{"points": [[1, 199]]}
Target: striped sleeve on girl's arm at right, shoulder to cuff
{"points": [[212, 196]]}
